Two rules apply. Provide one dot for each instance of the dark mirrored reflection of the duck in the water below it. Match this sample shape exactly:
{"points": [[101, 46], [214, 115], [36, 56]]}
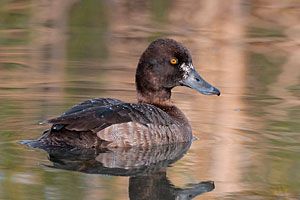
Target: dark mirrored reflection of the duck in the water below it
{"points": [[145, 167]]}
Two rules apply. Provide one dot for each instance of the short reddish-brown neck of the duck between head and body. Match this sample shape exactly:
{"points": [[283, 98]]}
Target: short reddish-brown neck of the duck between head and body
{"points": [[160, 97]]}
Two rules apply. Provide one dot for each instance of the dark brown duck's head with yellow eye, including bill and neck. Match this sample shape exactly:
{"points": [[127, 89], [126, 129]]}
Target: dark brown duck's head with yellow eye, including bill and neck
{"points": [[164, 65]]}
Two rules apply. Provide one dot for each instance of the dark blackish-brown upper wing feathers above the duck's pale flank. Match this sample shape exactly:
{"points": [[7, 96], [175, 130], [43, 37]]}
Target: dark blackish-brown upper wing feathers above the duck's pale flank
{"points": [[96, 118]]}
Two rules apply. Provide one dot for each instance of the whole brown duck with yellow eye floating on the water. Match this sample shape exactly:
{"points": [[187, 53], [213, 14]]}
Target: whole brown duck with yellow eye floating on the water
{"points": [[153, 120]]}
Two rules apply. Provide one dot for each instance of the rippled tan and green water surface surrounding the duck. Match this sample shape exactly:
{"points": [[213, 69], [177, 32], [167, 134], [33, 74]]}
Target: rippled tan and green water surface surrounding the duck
{"points": [[54, 54]]}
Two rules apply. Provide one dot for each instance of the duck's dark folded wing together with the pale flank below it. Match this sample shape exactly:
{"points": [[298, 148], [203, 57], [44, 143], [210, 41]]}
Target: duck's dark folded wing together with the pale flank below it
{"points": [[120, 124]]}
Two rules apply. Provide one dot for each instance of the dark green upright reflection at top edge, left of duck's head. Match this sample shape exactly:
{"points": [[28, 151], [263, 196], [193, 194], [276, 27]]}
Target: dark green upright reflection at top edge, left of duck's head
{"points": [[88, 26]]}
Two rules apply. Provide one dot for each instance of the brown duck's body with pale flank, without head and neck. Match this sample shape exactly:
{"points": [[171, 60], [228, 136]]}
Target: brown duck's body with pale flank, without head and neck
{"points": [[101, 123]]}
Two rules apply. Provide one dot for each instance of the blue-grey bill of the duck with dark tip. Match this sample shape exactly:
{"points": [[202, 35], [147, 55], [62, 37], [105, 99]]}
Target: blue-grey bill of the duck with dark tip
{"points": [[196, 82]]}
